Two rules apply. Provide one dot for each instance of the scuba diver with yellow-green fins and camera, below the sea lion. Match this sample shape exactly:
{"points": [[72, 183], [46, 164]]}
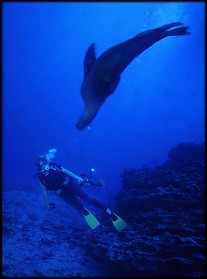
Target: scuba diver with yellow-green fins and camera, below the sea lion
{"points": [[67, 185]]}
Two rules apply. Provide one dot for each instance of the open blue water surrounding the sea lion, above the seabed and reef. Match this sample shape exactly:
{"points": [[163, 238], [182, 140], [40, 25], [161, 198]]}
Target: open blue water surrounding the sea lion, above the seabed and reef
{"points": [[158, 103]]}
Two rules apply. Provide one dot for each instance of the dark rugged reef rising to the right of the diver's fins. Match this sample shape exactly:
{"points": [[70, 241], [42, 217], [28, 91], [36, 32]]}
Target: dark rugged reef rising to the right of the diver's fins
{"points": [[165, 208]]}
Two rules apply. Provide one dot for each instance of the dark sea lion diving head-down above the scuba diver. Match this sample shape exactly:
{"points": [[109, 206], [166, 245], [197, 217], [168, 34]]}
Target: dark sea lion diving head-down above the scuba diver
{"points": [[102, 75]]}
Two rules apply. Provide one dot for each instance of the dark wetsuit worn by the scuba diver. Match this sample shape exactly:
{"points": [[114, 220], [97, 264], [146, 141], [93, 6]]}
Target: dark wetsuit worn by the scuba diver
{"points": [[58, 180]]}
